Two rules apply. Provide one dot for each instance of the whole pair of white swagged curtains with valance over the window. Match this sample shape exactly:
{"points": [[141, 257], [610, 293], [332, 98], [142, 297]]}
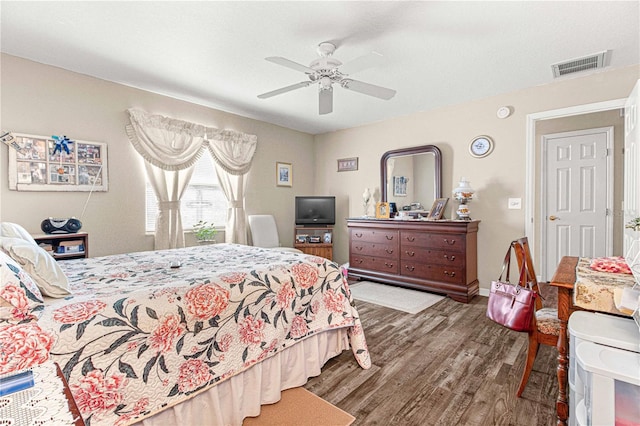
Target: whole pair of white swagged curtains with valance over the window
{"points": [[170, 148]]}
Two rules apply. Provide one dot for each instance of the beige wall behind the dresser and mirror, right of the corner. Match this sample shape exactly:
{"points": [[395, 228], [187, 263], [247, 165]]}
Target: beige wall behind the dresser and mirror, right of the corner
{"points": [[495, 178]]}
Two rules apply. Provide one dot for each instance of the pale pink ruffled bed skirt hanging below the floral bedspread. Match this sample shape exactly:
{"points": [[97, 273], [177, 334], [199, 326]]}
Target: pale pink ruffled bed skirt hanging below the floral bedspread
{"points": [[241, 396]]}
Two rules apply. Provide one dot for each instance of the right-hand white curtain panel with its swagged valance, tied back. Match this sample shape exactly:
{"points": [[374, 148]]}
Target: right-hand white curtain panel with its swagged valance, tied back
{"points": [[233, 152]]}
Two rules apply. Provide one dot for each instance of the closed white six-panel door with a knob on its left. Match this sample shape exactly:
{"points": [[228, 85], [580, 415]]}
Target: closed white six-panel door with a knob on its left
{"points": [[577, 194]]}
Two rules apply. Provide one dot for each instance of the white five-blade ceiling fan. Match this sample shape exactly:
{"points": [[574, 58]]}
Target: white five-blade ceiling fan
{"points": [[324, 71]]}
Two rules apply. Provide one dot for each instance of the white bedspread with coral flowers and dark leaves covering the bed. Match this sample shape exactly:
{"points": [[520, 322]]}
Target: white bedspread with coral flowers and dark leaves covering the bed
{"points": [[138, 336]]}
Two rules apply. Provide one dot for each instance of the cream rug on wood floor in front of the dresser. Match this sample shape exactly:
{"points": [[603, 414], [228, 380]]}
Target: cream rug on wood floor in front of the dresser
{"points": [[401, 299]]}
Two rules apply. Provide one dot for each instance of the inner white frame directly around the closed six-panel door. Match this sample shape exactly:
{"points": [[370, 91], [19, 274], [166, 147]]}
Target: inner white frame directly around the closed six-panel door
{"points": [[544, 212]]}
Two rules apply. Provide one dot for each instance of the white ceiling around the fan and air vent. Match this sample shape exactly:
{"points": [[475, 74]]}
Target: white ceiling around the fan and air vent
{"points": [[436, 53]]}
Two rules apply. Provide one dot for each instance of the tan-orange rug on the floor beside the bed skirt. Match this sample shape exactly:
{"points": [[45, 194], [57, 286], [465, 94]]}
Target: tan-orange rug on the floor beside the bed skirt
{"points": [[299, 407]]}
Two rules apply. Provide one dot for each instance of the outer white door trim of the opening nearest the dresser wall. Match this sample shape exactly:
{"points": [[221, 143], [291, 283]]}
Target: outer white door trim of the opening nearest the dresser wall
{"points": [[533, 156]]}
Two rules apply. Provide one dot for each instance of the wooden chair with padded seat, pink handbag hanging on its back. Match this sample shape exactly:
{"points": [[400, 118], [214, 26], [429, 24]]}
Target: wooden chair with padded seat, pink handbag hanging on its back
{"points": [[545, 325]]}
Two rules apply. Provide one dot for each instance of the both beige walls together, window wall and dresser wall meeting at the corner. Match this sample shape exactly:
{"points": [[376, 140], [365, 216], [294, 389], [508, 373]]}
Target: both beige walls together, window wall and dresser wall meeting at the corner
{"points": [[45, 100]]}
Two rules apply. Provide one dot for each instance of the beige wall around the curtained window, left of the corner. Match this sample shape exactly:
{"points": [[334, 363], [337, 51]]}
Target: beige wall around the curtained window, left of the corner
{"points": [[44, 100]]}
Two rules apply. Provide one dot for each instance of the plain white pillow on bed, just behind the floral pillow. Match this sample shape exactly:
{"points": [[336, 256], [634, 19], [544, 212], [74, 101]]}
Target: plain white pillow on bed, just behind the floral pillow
{"points": [[39, 264]]}
